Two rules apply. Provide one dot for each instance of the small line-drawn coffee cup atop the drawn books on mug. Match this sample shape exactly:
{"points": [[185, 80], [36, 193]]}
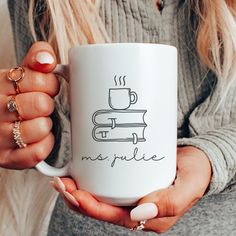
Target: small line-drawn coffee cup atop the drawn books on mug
{"points": [[121, 98]]}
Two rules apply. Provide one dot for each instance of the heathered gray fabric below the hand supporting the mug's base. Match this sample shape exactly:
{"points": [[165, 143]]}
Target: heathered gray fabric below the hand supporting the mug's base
{"points": [[214, 215]]}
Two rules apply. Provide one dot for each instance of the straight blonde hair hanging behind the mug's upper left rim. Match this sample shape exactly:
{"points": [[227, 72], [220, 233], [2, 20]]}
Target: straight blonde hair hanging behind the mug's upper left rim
{"points": [[69, 22]]}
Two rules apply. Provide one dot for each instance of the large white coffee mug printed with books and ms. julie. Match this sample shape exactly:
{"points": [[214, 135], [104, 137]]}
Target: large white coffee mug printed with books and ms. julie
{"points": [[123, 120]]}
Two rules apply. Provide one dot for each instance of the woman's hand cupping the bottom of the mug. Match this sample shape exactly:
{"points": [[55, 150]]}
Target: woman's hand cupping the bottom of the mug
{"points": [[161, 209]]}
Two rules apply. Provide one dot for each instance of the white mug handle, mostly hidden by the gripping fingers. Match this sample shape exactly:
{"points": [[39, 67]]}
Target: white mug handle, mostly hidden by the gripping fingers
{"points": [[43, 167]]}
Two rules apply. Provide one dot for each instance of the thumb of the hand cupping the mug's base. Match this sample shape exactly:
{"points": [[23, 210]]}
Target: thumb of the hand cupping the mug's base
{"points": [[169, 202]]}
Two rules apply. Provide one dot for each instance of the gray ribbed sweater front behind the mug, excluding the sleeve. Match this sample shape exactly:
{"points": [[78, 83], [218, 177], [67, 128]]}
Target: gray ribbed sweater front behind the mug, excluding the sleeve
{"points": [[141, 21]]}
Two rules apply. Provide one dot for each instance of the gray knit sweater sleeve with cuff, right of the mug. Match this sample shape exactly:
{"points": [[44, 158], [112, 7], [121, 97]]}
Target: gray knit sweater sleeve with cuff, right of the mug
{"points": [[212, 127]]}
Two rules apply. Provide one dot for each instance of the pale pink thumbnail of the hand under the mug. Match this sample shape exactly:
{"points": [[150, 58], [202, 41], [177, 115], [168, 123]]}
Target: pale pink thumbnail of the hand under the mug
{"points": [[144, 211]]}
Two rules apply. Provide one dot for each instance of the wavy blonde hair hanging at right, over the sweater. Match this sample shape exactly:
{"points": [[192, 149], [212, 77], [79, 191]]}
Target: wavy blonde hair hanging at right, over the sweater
{"points": [[216, 36]]}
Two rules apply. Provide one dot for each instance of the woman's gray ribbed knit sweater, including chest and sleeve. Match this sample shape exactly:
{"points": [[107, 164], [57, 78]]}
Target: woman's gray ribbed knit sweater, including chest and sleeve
{"points": [[202, 122]]}
